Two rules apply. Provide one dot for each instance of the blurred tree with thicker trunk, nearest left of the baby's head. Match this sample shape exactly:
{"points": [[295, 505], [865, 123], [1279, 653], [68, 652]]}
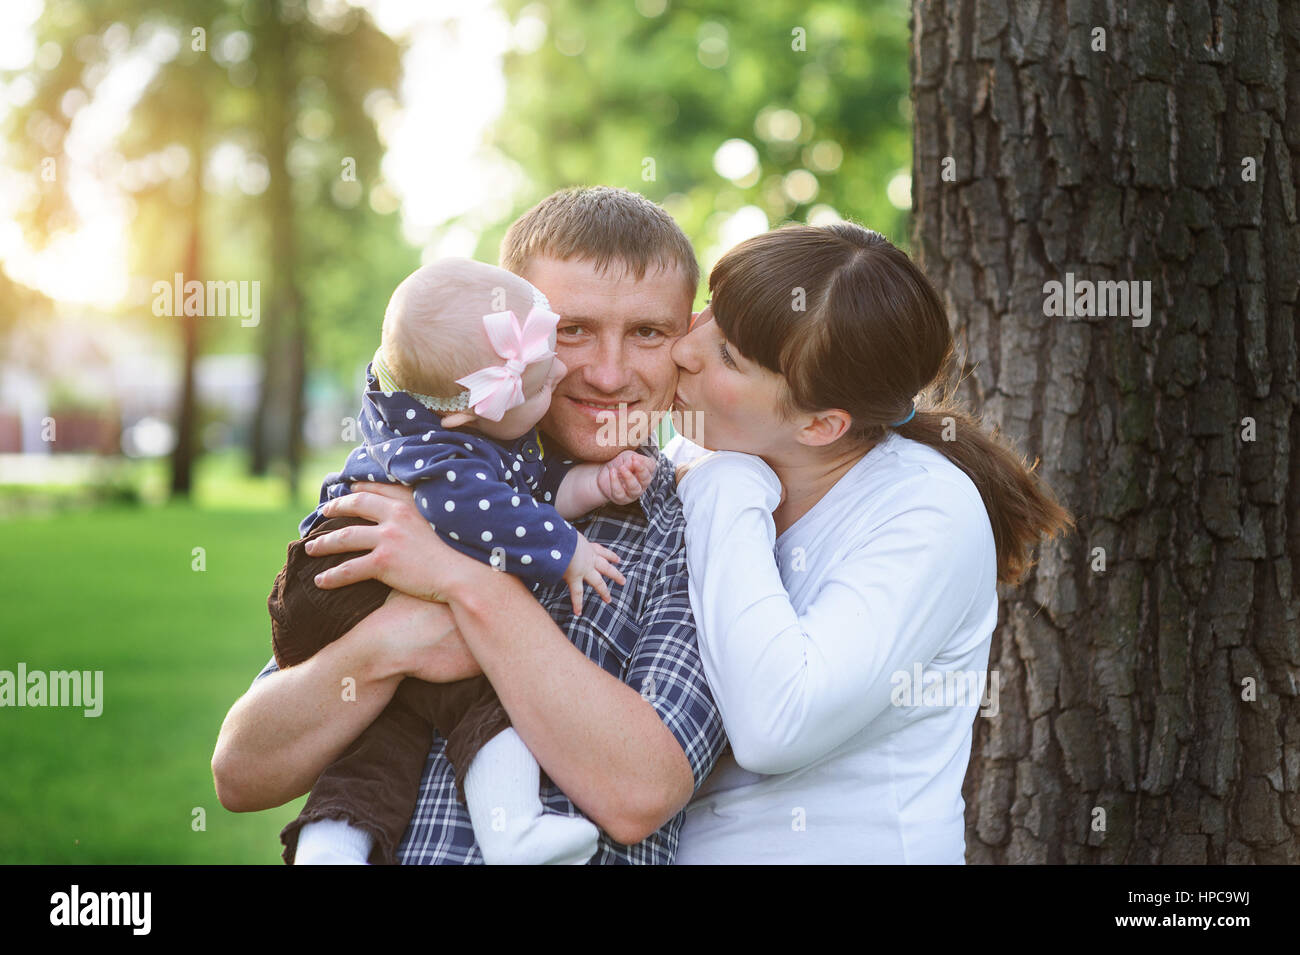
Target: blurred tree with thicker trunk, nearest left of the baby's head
{"points": [[318, 133]]}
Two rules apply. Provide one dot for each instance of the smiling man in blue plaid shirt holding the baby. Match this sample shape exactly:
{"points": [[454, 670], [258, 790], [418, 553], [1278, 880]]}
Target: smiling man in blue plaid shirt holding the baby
{"points": [[614, 704]]}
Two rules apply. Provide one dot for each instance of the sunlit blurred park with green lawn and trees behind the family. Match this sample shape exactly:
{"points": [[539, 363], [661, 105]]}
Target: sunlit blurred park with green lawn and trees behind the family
{"points": [[323, 149]]}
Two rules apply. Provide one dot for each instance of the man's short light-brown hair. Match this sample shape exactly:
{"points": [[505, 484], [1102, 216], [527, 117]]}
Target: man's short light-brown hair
{"points": [[605, 225]]}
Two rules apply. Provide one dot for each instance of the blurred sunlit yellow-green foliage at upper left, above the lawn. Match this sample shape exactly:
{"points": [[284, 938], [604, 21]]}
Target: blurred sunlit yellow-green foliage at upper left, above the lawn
{"points": [[228, 97]]}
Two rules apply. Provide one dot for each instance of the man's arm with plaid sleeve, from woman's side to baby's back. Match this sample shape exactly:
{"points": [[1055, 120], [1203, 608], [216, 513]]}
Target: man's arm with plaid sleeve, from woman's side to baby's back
{"points": [[629, 763]]}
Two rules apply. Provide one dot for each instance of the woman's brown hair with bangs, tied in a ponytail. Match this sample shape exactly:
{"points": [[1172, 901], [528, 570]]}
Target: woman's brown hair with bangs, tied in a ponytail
{"points": [[851, 323]]}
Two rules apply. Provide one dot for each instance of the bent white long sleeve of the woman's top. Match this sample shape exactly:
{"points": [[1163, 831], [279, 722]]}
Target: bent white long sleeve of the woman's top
{"points": [[794, 687]]}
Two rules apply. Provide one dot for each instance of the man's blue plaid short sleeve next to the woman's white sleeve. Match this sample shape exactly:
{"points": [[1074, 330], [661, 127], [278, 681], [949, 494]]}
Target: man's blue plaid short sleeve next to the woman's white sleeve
{"points": [[666, 670]]}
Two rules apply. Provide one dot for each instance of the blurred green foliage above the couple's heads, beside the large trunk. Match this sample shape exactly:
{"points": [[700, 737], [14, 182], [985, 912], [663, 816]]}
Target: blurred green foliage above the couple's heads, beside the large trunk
{"points": [[617, 85]]}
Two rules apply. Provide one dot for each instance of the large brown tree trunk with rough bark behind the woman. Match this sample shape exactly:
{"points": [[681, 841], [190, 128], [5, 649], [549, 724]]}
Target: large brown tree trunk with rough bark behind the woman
{"points": [[1150, 667]]}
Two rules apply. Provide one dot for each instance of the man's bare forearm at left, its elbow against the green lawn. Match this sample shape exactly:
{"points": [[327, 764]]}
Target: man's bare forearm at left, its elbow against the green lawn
{"points": [[292, 724]]}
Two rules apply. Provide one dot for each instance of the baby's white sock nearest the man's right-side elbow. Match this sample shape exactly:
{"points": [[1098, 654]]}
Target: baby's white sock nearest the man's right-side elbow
{"points": [[510, 824]]}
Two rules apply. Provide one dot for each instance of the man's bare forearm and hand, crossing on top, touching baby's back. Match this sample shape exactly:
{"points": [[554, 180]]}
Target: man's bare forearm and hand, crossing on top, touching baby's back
{"points": [[596, 737]]}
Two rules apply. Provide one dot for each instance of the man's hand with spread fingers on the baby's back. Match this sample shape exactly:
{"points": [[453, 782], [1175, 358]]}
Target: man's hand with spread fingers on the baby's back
{"points": [[405, 552]]}
